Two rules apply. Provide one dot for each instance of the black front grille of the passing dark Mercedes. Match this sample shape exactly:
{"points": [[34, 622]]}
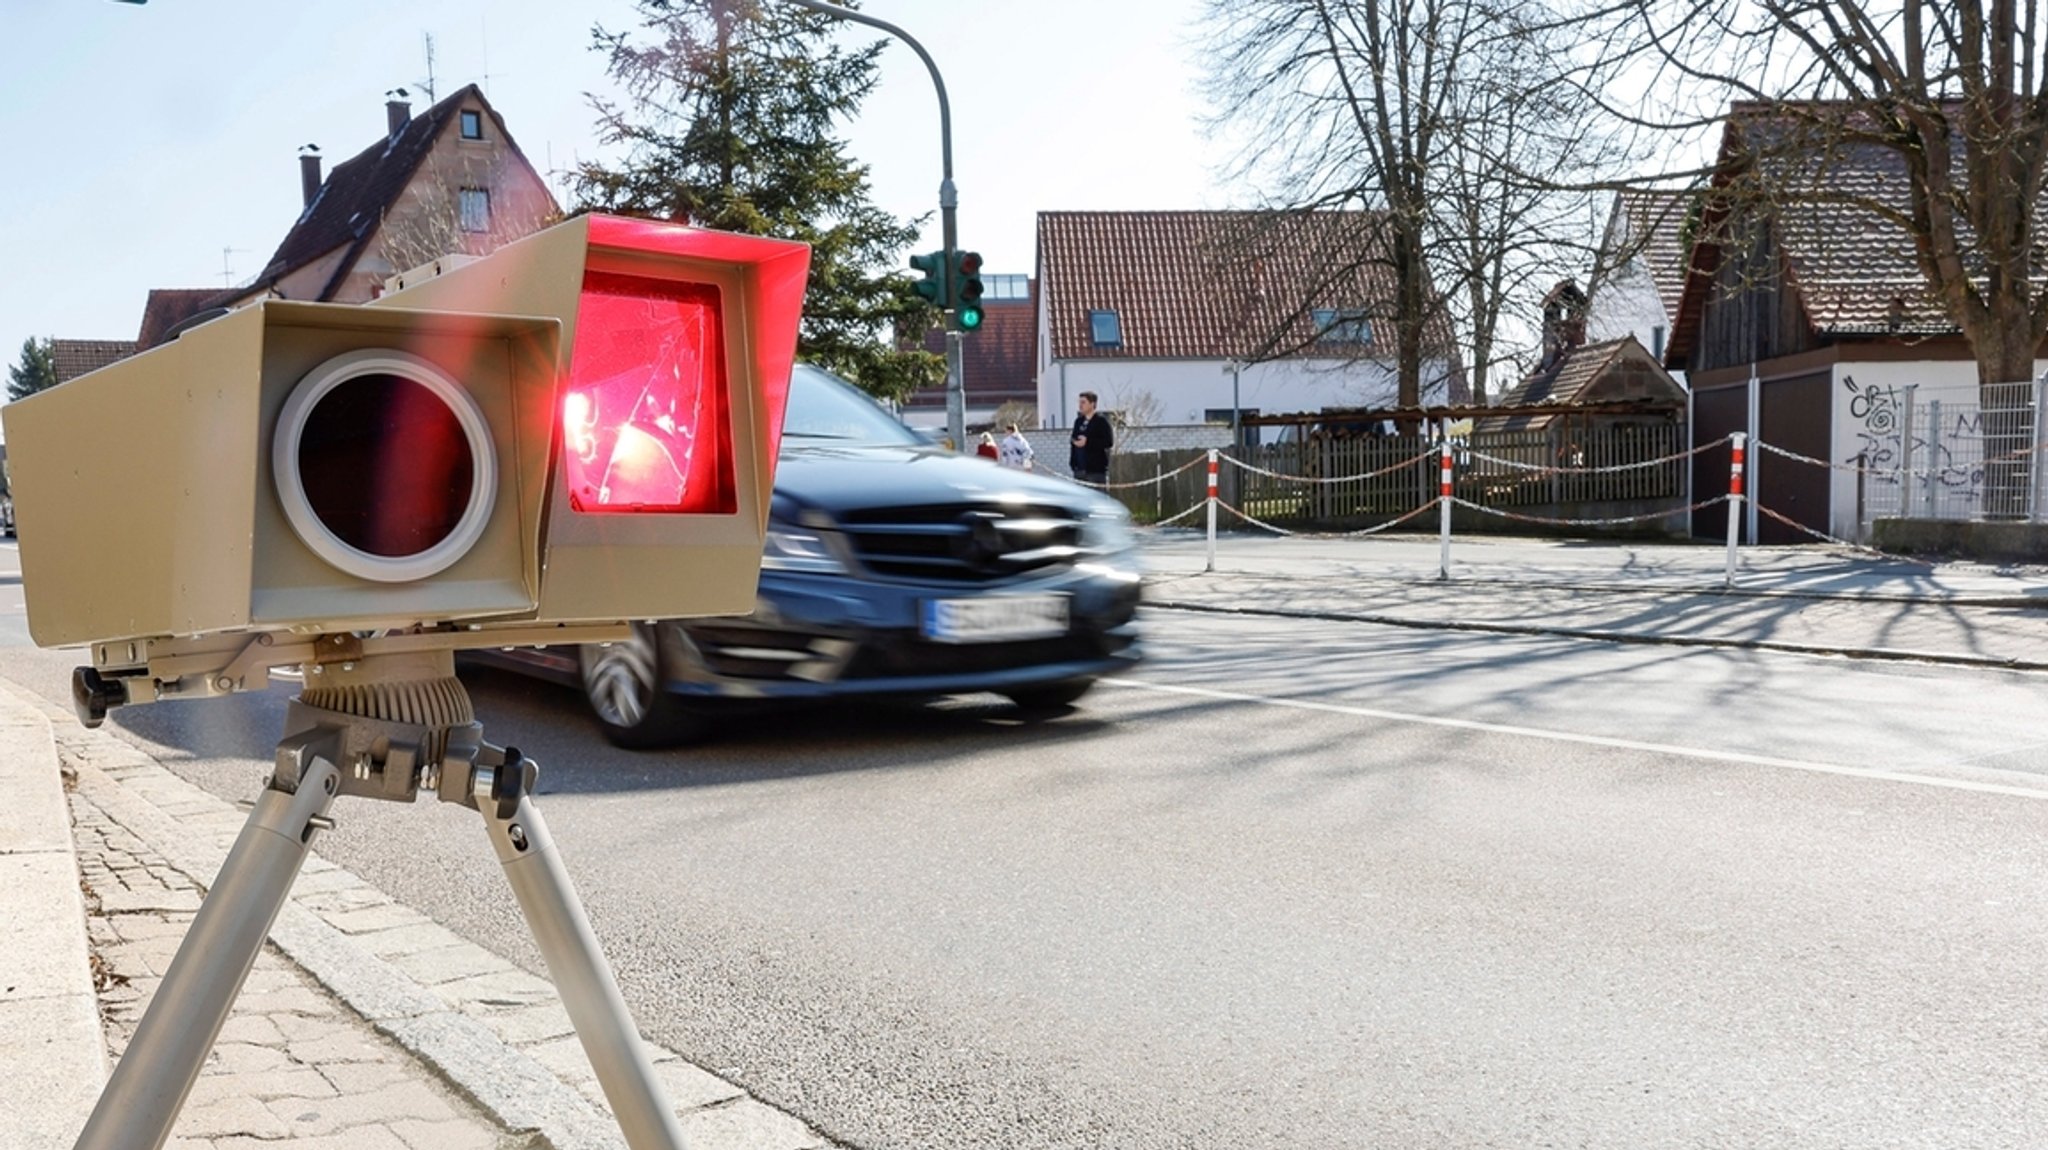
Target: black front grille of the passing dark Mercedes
{"points": [[964, 543]]}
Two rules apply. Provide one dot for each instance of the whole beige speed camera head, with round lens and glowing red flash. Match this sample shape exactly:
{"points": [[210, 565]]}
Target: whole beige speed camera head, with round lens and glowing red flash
{"points": [[579, 429]]}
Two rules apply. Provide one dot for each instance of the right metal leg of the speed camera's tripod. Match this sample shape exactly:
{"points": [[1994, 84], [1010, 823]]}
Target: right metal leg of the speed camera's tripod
{"points": [[583, 979]]}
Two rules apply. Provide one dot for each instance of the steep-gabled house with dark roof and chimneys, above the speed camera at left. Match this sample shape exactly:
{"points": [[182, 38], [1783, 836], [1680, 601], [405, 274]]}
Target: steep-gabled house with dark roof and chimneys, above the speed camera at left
{"points": [[450, 181]]}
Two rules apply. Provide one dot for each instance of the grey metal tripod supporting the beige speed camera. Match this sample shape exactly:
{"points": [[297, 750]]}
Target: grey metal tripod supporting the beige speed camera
{"points": [[382, 727]]}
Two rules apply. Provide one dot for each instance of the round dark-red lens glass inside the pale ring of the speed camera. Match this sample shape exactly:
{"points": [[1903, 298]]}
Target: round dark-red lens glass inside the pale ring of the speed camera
{"points": [[386, 466]]}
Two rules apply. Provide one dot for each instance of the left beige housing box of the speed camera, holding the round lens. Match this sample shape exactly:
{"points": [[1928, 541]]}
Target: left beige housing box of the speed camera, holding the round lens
{"points": [[290, 466]]}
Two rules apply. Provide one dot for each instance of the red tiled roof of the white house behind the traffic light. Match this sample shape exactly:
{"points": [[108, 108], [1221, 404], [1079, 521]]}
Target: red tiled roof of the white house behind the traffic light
{"points": [[1218, 285]]}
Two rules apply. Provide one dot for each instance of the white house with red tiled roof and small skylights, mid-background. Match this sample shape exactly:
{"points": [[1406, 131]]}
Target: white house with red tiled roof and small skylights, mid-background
{"points": [[1201, 314]]}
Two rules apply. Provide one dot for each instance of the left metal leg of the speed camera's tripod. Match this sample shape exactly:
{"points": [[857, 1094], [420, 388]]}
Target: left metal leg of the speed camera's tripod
{"points": [[148, 1088]]}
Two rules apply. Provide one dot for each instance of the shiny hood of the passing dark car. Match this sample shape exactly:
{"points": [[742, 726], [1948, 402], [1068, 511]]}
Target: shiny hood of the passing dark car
{"points": [[853, 478]]}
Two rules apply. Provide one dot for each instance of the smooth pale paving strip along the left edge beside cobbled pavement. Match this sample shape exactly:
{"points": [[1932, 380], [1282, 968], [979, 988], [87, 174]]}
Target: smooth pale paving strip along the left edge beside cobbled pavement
{"points": [[50, 1018]]}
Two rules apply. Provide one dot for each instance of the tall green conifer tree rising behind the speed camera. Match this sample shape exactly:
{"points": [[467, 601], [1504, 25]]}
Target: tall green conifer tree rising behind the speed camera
{"points": [[728, 122]]}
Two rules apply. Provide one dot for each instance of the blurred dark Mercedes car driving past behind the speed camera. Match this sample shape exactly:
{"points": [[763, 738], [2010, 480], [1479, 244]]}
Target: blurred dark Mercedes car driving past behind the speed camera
{"points": [[892, 570]]}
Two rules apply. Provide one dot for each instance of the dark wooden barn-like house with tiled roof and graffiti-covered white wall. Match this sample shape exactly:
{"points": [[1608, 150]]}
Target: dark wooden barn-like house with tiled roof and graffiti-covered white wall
{"points": [[1805, 322]]}
